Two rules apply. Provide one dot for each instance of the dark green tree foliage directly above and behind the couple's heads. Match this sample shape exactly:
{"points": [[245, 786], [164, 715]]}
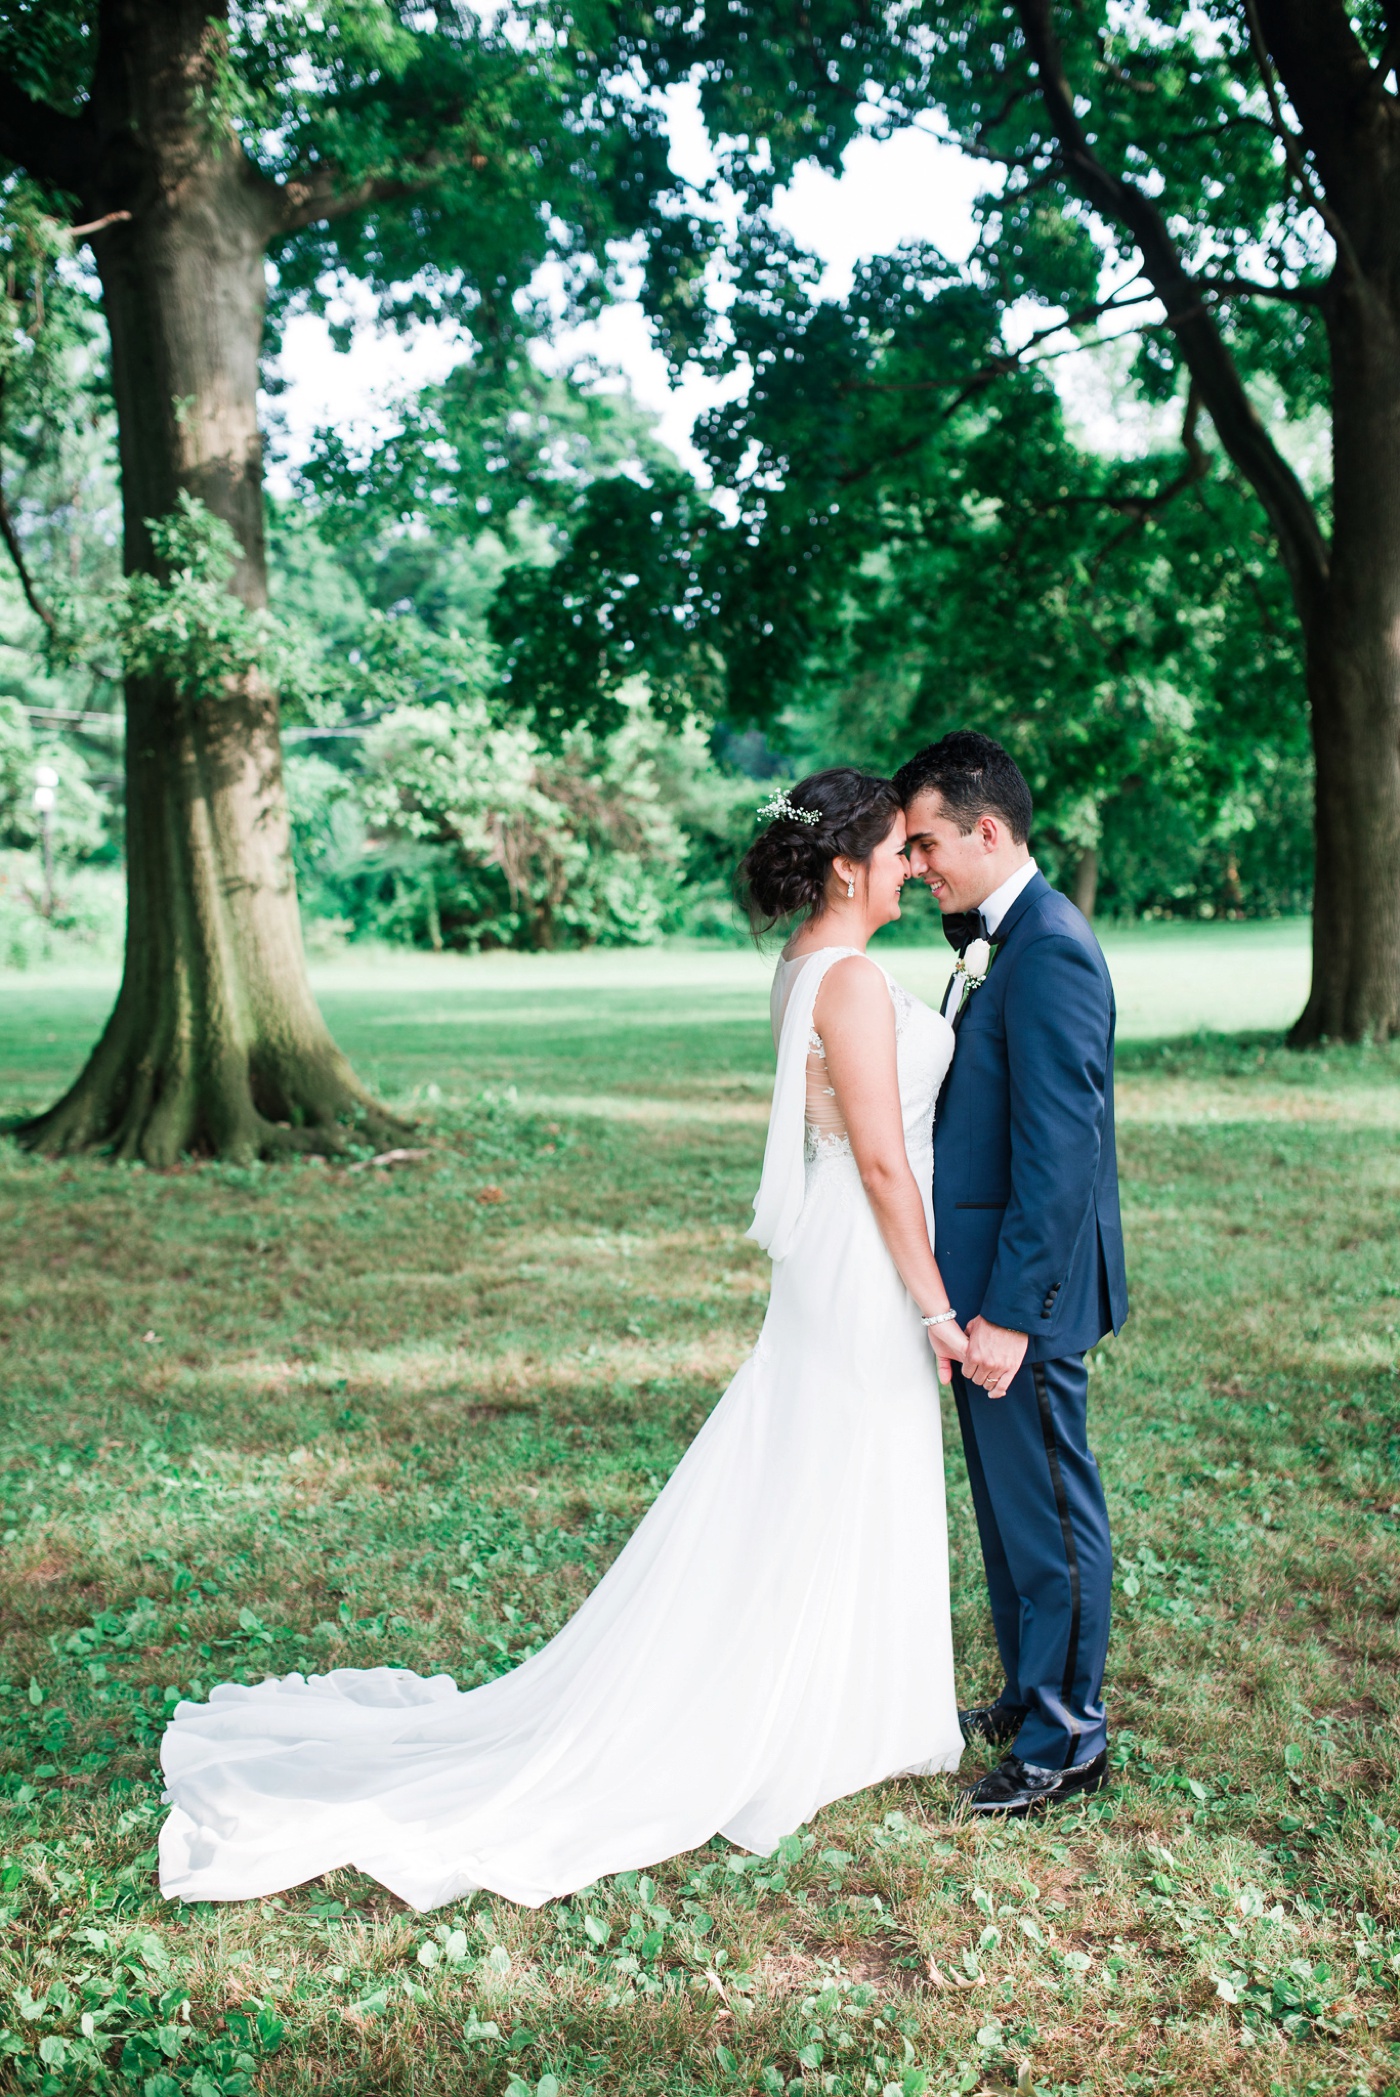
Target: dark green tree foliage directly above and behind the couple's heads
{"points": [[919, 544]]}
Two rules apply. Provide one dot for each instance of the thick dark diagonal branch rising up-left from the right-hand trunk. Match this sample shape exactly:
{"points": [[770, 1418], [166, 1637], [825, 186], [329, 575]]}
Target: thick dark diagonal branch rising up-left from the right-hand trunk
{"points": [[1198, 337]]}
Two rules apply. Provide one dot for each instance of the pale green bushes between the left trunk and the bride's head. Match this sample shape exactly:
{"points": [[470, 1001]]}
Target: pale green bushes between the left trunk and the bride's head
{"points": [[460, 831]]}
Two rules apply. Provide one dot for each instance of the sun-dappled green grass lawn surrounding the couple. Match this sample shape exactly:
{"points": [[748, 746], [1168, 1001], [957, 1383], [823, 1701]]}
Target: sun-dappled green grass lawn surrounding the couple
{"points": [[303, 1417]]}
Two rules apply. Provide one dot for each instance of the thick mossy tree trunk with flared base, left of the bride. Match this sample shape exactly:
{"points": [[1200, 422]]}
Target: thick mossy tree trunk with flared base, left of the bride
{"points": [[215, 1043]]}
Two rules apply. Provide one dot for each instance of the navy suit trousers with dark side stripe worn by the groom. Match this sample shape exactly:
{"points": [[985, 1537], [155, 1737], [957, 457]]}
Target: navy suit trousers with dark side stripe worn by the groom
{"points": [[1045, 1534]]}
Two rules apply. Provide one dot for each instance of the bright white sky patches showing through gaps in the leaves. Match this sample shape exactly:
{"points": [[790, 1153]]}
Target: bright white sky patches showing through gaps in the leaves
{"points": [[904, 188]]}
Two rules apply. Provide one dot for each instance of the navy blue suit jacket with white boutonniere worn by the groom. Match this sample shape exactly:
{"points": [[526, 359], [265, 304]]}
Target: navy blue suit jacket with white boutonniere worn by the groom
{"points": [[1028, 1226]]}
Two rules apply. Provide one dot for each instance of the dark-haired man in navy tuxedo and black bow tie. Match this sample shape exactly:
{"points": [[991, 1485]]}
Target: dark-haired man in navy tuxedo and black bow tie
{"points": [[1032, 1251]]}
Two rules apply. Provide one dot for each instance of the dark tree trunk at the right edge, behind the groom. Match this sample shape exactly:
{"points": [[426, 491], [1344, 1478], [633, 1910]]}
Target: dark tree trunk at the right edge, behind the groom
{"points": [[1355, 691]]}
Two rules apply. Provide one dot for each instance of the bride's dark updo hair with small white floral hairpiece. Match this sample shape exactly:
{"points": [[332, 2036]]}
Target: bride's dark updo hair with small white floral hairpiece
{"points": [[785, 869]]}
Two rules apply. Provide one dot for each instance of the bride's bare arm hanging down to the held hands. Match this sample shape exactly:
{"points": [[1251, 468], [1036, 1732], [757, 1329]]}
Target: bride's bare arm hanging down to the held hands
{"points": [[856, 1022]]}
